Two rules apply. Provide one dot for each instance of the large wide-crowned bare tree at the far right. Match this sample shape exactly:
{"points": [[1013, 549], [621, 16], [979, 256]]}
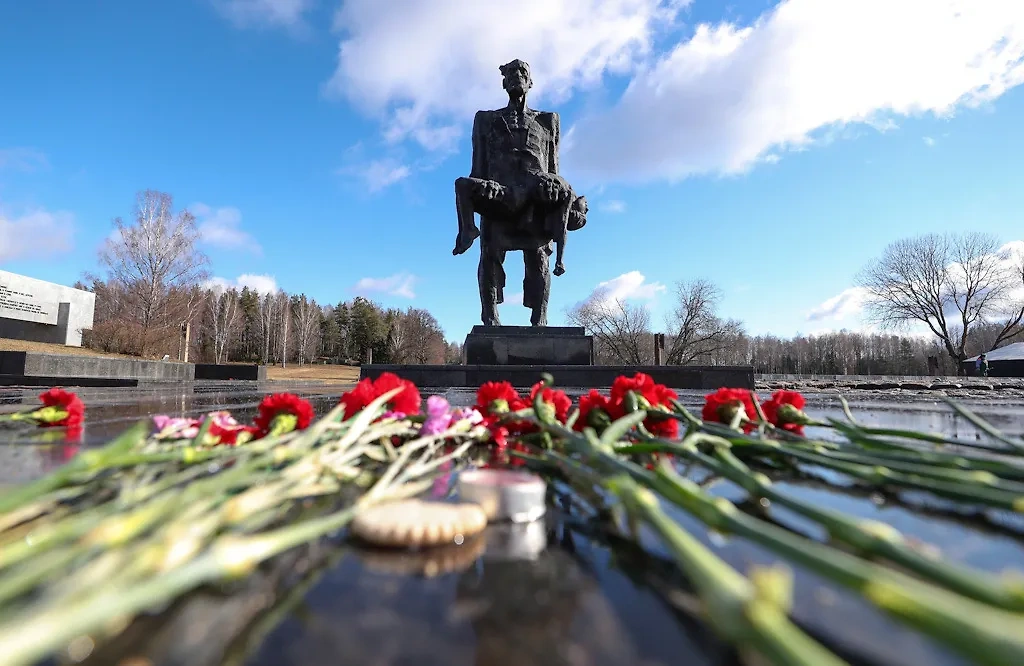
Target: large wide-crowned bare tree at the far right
{"points": [[950, 283]]}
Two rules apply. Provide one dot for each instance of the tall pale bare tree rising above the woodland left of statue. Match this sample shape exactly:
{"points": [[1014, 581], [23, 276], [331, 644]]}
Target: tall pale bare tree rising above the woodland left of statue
{"points": [[152, 259]]}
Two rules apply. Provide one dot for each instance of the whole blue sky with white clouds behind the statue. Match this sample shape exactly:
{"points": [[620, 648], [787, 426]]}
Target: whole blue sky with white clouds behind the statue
{"points": [[775, 149]]}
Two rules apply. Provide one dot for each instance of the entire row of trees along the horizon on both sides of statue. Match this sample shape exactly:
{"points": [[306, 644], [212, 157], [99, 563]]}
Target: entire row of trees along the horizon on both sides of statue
{"points": [[156, 298]]}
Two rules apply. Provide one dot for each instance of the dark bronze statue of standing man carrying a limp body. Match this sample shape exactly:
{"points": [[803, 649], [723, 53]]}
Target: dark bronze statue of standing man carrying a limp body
{"points": [[524, 203]]}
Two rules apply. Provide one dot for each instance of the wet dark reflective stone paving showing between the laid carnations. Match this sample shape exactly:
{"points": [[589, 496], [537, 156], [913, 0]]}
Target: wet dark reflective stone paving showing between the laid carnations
{"points": [[554, 596]]}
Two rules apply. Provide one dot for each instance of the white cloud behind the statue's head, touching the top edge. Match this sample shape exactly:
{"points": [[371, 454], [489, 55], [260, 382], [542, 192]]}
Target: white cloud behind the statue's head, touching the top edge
{"points": [[428, 66]]}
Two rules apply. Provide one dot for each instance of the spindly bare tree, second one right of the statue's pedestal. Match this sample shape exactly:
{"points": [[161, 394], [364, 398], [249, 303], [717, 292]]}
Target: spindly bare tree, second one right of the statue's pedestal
{"points": [[696, 330]]}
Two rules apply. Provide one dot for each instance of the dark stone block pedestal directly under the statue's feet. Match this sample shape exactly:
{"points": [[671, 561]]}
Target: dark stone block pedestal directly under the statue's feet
{"points": [[529, 346]]}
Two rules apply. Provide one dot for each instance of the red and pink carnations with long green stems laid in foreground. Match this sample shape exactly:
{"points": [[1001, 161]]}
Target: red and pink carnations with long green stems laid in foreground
{"points": [[177, 504]]}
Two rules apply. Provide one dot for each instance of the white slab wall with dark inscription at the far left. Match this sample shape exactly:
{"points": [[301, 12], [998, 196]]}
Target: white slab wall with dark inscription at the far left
{"points": [[44, 312]]}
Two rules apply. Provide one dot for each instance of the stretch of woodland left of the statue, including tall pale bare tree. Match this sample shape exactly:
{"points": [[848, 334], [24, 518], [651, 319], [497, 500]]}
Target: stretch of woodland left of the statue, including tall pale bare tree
{"points": [[156, 299]]}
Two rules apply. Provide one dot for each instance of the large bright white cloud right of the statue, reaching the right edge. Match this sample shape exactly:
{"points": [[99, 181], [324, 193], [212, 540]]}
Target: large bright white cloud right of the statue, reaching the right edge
{"points": [[733, 95]]}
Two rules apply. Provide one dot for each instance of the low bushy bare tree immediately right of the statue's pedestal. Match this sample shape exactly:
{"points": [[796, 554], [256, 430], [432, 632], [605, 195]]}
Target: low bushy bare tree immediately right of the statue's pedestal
{"points": [[621, 330]]}
